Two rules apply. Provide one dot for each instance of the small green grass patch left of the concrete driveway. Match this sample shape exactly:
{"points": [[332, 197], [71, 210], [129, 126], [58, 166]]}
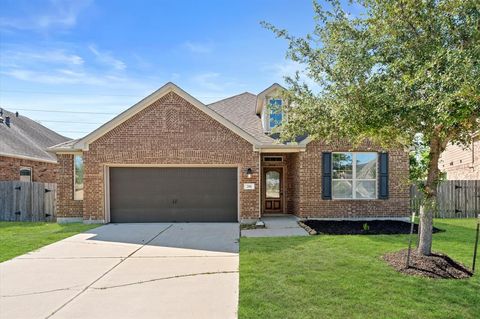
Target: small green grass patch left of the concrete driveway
{"points": [[19, 238]]}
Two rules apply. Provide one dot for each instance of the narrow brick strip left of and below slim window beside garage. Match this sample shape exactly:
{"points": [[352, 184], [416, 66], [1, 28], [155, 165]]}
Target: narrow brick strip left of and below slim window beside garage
{"points": [[66, 206]]}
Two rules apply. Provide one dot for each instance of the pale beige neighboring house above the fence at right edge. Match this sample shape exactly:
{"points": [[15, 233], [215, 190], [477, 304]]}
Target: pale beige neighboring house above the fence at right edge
{"points": [[462, 162]]}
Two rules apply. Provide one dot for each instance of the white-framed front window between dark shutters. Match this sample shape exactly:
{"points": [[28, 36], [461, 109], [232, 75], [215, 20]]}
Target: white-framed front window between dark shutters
{"points": [[354, 175]]}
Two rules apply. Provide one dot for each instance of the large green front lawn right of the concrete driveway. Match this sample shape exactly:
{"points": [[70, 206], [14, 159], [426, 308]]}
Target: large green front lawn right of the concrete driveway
{"points": [[344, 277]]}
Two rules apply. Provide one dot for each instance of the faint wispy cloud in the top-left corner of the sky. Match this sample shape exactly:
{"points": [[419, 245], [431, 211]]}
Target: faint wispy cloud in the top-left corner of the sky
{"points": [[56, 15]]}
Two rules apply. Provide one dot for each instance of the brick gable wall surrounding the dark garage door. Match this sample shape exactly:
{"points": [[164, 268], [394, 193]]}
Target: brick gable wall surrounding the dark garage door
{"points": [[170, 131]]}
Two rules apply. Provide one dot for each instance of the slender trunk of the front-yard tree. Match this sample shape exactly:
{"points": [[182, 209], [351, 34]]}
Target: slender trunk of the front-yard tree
{"points": [[430, 192]]}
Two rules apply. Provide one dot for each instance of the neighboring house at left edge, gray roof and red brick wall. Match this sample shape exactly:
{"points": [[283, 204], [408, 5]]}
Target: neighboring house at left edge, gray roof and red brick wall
{"points": [[23, 144]]}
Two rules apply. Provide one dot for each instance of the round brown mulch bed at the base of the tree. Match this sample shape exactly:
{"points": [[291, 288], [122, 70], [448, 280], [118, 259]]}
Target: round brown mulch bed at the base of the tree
{"points": [[436, 266]]}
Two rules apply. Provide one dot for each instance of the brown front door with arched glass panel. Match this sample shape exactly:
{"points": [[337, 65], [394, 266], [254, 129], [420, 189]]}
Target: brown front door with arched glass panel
{"points": [[273, 189]]}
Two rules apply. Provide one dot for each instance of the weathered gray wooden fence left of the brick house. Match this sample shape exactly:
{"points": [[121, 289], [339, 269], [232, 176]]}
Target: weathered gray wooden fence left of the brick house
{"points": [[27, 201]]}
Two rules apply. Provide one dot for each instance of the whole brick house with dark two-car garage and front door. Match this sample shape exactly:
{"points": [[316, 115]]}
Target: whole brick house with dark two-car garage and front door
{"points": [[172, 158]]}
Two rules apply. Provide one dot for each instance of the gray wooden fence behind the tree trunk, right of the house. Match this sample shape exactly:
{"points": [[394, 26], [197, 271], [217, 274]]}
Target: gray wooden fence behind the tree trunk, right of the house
{"points": [[455, 199]]}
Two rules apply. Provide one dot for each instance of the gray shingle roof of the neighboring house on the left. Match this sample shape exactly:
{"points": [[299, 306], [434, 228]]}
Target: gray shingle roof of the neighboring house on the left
{"points": [[27, 138]]}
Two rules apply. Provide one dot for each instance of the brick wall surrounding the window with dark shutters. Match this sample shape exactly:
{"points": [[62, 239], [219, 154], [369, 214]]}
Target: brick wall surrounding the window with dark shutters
{"points": [[310, 173]]}
